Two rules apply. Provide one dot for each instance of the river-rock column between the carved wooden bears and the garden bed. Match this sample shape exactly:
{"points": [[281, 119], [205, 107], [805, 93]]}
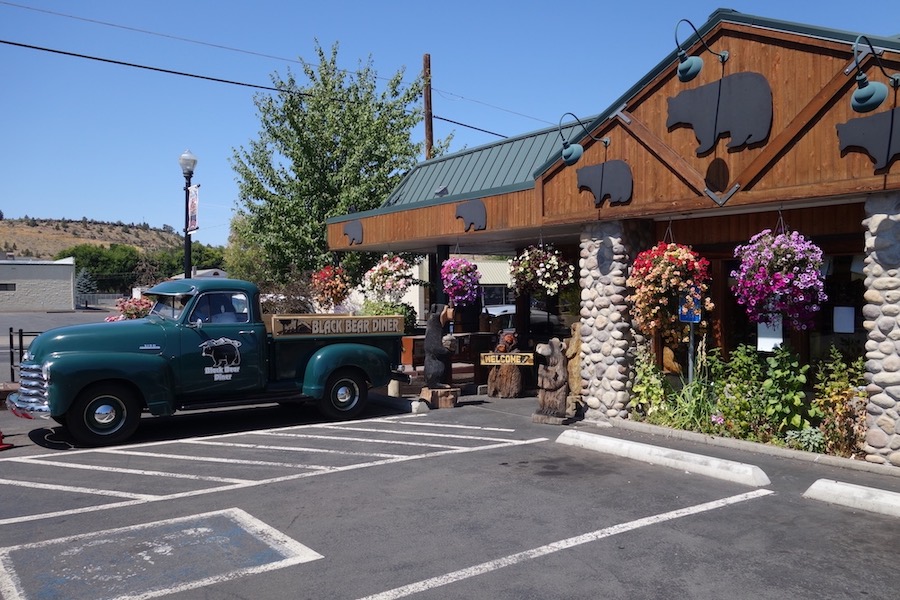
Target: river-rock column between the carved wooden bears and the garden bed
{"points": [[607, 337]]}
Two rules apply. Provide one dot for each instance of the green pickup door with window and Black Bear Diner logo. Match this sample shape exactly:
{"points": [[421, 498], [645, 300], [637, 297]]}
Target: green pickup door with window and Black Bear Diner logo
{"points": [[222, 350]]}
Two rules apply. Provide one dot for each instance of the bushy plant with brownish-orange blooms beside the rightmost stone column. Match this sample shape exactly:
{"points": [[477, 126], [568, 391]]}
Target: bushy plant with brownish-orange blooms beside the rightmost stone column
{"points": [[840, 399]]}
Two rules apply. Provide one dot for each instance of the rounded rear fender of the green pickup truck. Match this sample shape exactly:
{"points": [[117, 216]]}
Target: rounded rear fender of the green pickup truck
{"points": [[374, 362]]}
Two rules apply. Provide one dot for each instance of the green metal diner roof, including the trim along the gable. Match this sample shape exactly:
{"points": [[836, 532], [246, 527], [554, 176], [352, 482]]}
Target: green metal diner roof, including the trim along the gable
{"points": [[514, 163]]}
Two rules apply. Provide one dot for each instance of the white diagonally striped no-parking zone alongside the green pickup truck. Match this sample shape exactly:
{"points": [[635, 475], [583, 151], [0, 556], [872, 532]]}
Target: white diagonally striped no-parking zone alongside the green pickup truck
{"points": [[103, 478]]}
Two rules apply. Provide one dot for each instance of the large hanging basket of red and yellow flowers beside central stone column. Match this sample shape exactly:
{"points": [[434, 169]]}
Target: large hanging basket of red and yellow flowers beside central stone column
{"points": [[668, 281]]}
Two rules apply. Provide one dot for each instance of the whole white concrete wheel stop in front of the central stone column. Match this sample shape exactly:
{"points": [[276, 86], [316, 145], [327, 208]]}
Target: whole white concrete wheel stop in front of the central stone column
{"points": [[685, 461]]}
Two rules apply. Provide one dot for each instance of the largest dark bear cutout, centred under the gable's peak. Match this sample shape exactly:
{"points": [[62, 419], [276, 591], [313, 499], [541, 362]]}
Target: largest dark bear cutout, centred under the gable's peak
{"points": [[739, 105]]}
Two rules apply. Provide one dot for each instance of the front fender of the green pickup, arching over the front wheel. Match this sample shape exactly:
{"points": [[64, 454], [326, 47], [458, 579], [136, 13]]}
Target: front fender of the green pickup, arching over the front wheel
{"points": [[148, 374]]}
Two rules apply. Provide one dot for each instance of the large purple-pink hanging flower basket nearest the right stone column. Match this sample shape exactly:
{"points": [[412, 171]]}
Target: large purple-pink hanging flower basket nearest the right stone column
{"points": [[780, 276]]}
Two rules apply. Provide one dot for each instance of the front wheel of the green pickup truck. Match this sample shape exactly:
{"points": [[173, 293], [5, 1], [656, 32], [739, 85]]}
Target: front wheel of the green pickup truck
{"points": [[104, 414]]}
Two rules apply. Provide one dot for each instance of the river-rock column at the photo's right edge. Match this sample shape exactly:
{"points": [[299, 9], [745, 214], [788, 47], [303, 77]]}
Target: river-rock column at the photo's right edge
{"points": [[880, 314]]}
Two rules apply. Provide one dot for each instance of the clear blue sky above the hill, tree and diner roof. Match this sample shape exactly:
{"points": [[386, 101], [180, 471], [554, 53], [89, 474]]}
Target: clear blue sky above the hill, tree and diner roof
{"points": [[82, 138]]}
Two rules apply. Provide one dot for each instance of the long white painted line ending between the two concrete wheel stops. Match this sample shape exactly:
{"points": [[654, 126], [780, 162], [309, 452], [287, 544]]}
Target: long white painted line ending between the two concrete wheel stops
{"points": [[512, 559]]}
